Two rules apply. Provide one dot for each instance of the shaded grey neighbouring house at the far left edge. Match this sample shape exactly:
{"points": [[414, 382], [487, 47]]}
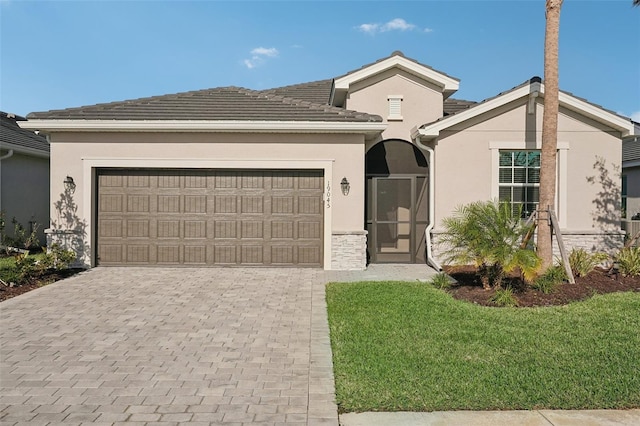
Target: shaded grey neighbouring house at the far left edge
{"points": [[24, 177]]}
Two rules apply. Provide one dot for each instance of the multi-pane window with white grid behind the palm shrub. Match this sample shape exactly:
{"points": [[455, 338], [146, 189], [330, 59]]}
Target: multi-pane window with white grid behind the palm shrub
{"points": [[519, 180]]}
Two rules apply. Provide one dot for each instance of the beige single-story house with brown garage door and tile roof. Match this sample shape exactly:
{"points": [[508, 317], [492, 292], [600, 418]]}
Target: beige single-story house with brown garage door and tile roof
{"points": [[334, 173]]}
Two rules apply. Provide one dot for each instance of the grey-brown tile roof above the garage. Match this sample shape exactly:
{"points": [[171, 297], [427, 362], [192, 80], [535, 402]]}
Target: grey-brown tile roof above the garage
{"points": [[222, 103]]}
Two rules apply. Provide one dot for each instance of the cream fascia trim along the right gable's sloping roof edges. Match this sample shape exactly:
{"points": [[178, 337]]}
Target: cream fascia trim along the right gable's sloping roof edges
{"points": [[532, 88]]}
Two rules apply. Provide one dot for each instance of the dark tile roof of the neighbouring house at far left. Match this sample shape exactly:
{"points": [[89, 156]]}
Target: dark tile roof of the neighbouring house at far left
{"points": [[12, 137]]}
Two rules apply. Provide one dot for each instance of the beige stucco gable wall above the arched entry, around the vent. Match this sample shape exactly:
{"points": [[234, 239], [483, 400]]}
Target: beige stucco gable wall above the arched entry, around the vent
{"points": [[421, 101]]}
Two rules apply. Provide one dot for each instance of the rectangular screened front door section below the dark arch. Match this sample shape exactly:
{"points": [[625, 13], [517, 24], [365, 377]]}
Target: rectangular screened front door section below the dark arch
{"points": [[396, 218]]}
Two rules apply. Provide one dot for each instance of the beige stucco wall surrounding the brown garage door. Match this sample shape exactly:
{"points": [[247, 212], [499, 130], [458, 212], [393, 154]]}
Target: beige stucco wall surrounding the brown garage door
{"points": [[73, 153]]}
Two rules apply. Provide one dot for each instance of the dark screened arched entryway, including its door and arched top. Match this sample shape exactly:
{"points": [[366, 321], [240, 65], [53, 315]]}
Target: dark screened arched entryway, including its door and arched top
{"points": [[396, 202]]}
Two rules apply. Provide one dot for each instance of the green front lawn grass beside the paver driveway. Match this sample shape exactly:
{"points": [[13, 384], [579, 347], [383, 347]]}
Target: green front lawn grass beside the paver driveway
{"points": [[409, 347]]}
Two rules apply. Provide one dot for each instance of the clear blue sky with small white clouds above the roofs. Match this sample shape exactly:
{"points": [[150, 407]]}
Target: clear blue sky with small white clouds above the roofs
{"points": [[63, 54]]}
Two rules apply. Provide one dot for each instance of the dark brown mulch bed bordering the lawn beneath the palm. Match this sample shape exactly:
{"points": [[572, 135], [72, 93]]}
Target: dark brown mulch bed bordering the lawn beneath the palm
{"points": [[598, 281]]}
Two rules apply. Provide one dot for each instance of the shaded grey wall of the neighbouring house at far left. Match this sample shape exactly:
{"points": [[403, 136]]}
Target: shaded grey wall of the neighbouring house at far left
{"points": [[24, 182]]}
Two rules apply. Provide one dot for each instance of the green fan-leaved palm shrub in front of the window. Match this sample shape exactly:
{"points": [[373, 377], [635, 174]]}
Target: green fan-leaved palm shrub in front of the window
{"points": [[487, 234]]}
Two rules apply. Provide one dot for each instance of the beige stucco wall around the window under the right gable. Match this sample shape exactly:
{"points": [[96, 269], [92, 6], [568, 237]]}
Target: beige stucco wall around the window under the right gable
{"points": [[587, 193]]}
